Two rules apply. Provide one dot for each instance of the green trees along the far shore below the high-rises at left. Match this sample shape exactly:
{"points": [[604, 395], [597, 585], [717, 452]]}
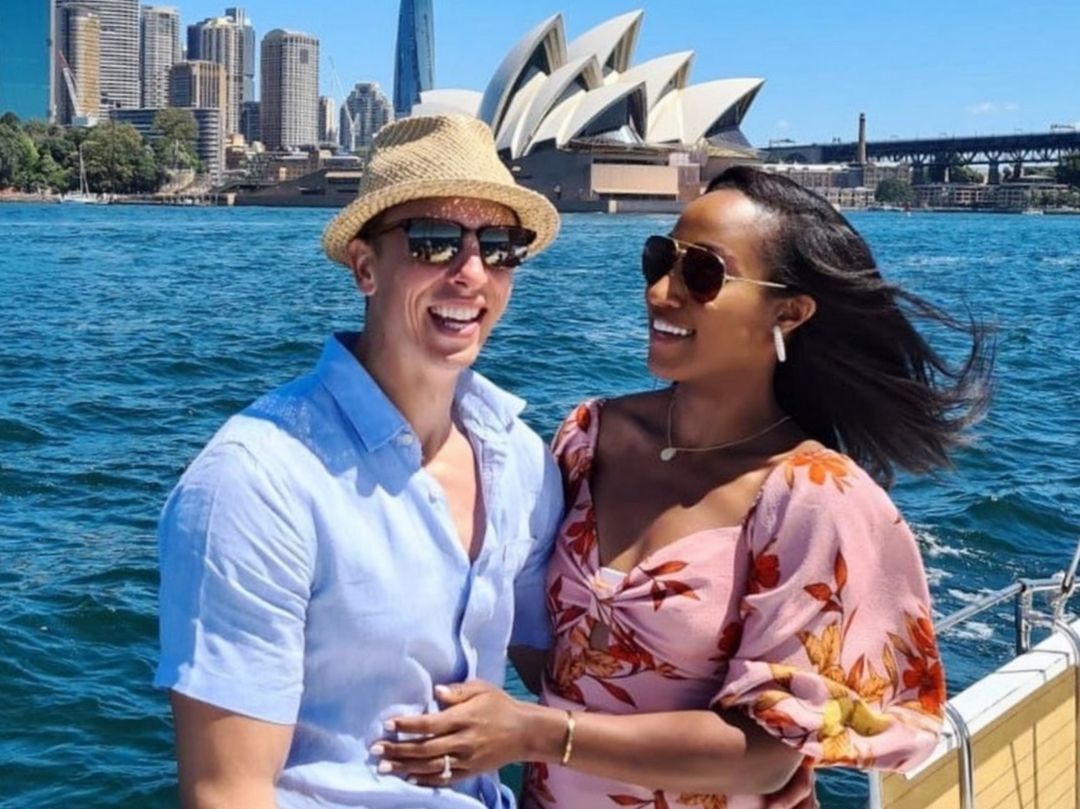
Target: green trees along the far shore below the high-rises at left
{"points": [[38, 157]]}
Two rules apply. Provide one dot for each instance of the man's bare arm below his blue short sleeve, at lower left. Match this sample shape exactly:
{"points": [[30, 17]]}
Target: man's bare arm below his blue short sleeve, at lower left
{"points": [[225, 760]]}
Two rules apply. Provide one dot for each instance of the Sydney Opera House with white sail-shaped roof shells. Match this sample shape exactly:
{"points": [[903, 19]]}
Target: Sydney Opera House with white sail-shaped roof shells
{"points": [[584, 124]]}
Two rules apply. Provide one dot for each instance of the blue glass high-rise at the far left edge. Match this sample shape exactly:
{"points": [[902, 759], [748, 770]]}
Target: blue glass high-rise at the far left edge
{"points": [[26, 60]]}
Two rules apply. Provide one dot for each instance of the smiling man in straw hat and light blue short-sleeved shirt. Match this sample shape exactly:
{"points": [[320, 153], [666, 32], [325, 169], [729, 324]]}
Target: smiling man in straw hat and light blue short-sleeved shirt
{"points": [[377, 528]]}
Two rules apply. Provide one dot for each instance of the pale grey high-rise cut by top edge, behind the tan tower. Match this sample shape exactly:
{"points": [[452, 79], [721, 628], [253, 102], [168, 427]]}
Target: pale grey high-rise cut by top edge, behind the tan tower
{"points": [[119, 22]]}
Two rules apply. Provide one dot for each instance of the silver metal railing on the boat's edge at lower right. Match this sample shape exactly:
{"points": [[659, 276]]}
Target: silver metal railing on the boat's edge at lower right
{"points": [[1058, 590]]}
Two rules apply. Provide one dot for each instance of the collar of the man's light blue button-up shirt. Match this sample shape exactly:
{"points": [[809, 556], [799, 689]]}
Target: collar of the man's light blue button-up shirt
{"points": [[484, 409]]}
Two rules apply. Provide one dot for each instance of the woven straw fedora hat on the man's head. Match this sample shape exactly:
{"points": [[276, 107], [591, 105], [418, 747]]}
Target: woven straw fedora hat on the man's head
{"points": [[438, 156]]}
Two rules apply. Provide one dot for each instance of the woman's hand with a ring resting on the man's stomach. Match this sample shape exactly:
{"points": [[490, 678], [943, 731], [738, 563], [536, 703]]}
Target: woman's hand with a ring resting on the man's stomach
{"points": [[481, 730]]}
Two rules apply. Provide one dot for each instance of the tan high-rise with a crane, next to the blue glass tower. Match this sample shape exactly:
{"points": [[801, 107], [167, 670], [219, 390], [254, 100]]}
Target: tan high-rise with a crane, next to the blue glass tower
{"points": [[79, 70]]}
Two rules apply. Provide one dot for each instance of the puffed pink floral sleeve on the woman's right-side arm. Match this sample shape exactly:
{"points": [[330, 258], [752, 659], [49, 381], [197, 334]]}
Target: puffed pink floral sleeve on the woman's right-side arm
{"points": [[836, 654]]}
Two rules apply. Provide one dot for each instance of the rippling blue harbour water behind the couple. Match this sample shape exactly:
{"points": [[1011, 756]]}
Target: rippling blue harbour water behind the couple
{"points": [[130, 334]]}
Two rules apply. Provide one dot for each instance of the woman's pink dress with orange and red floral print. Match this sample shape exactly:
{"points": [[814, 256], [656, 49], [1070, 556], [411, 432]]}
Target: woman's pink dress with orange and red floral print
{"points": [[814, 617]]}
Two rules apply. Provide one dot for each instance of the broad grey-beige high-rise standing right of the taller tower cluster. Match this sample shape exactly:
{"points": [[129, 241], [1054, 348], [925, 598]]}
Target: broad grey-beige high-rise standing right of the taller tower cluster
{"points": [[290, 80]]}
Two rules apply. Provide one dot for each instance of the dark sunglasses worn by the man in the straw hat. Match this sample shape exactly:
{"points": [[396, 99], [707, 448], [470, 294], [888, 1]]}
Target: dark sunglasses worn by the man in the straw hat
{"points": [[438, 241]]}
